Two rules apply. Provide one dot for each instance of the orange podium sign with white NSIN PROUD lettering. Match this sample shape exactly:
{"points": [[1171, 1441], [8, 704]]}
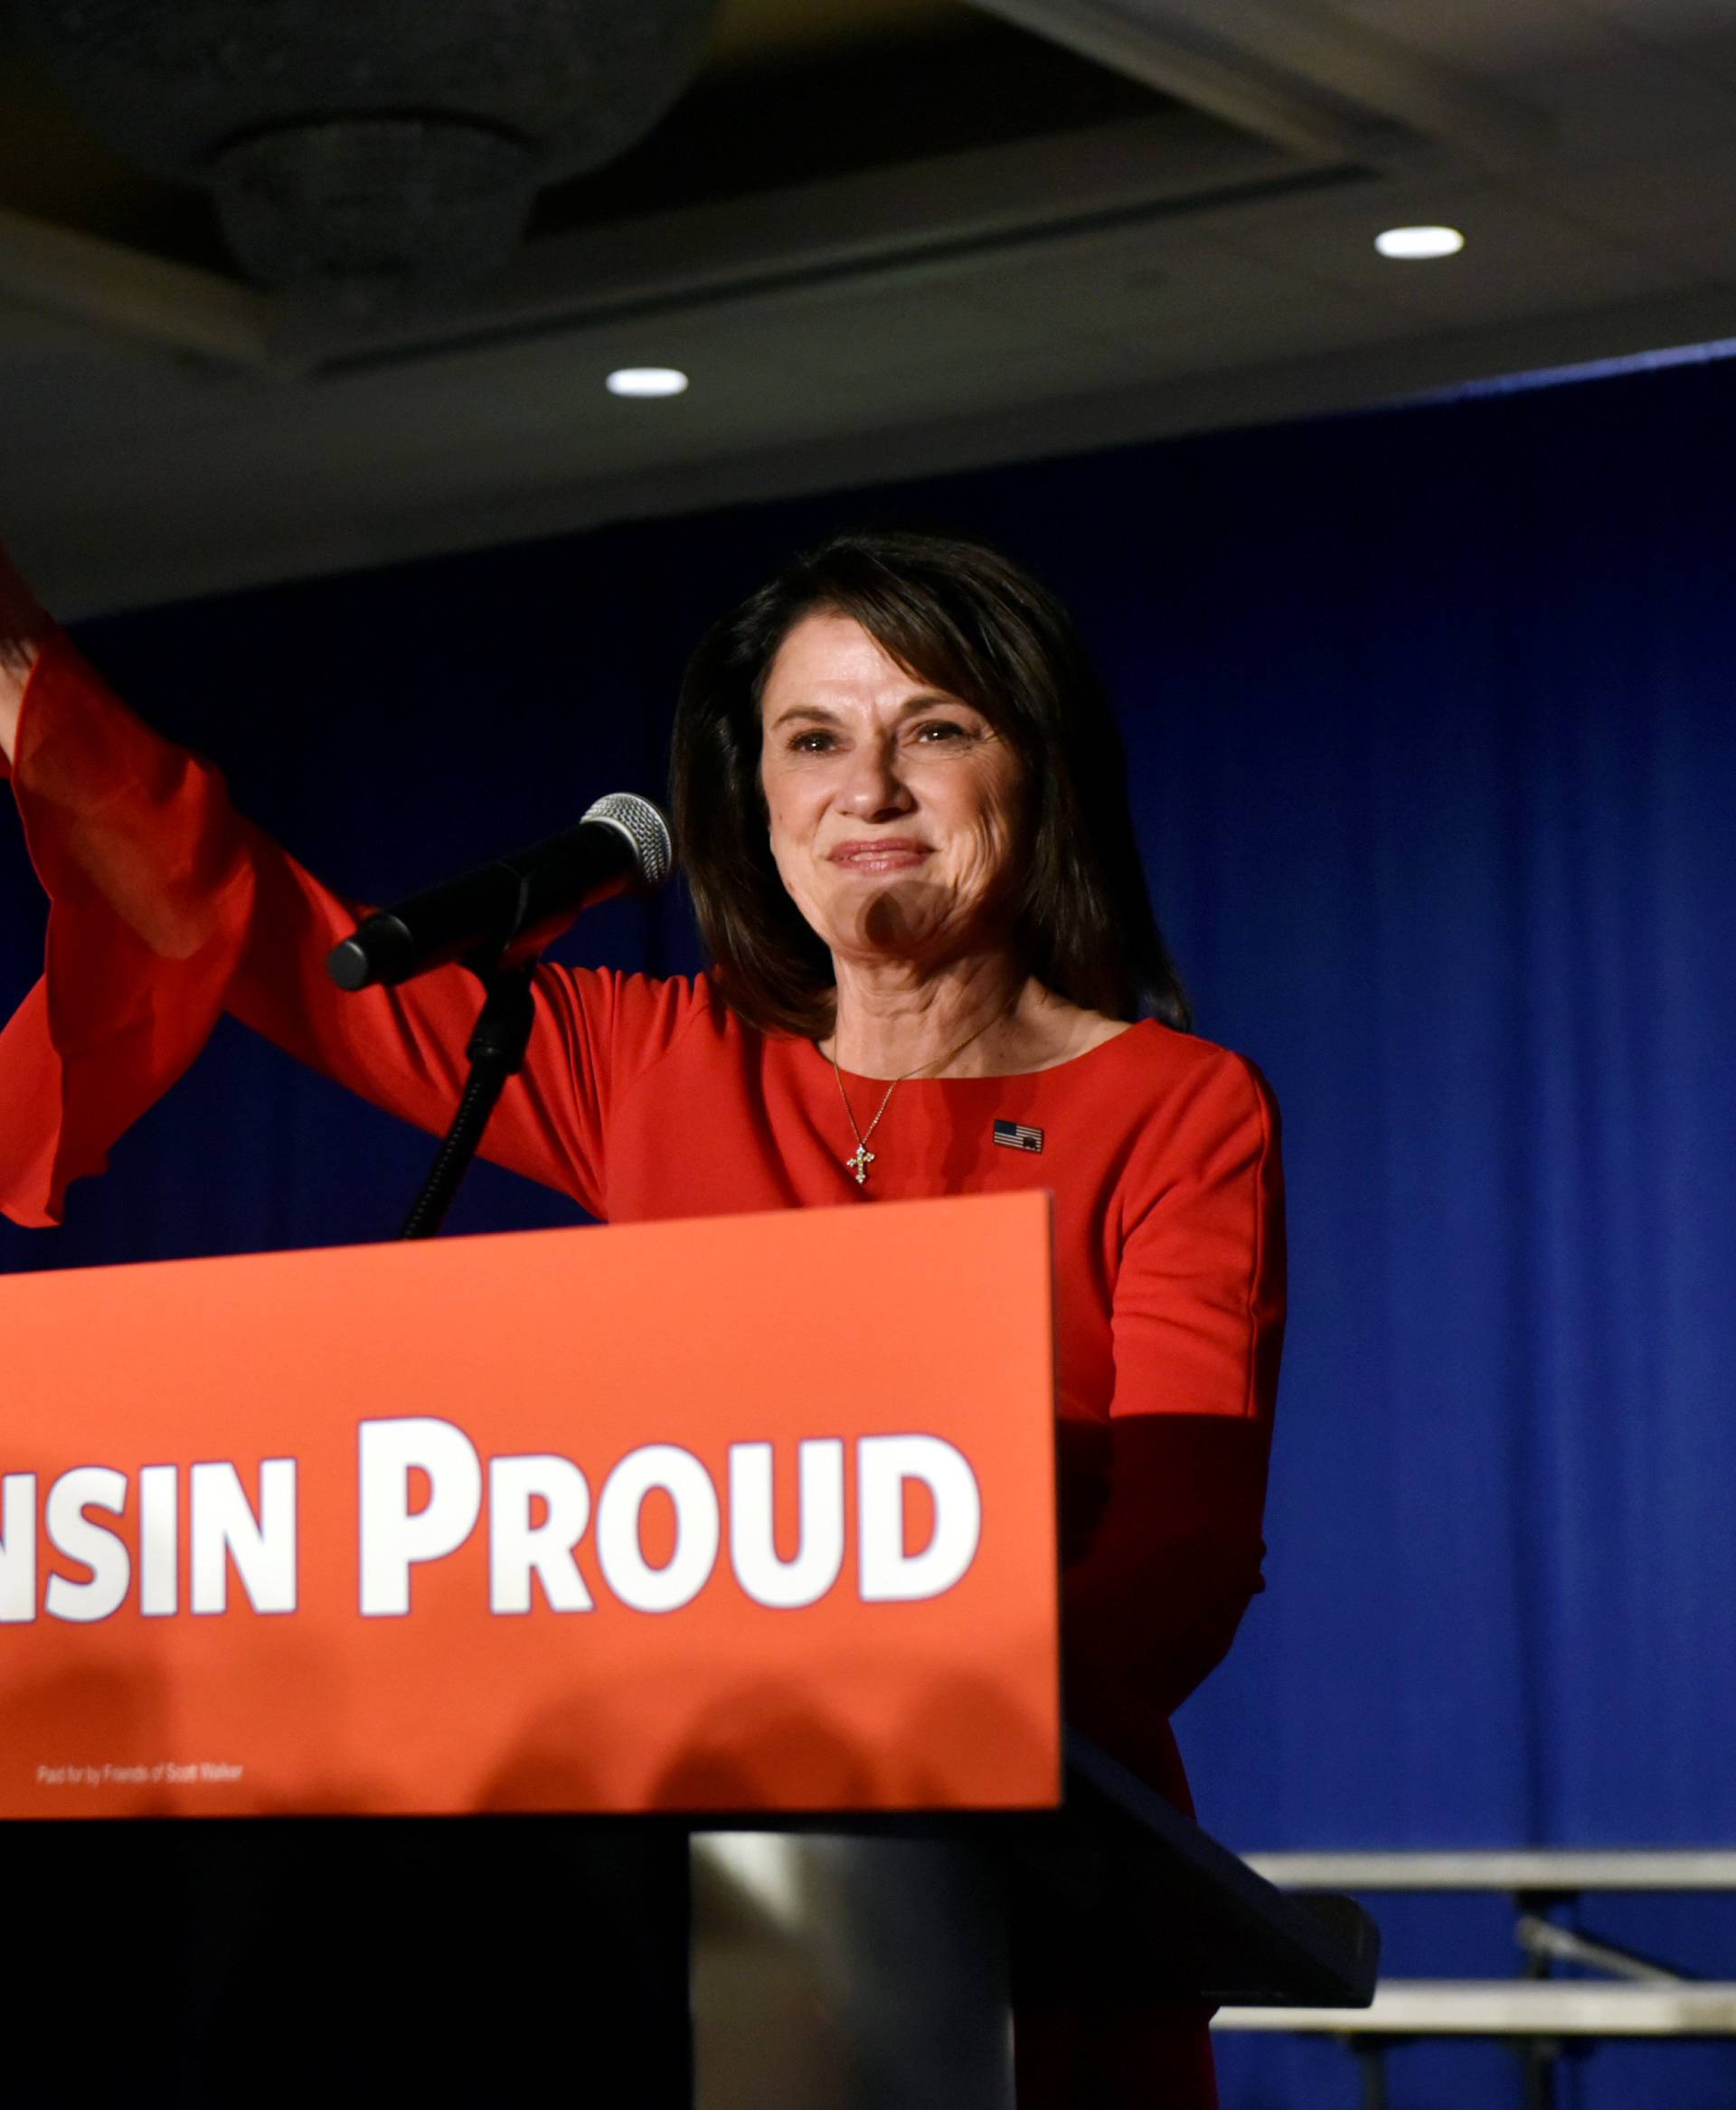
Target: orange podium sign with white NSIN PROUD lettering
{"points": [[744, 1514]]}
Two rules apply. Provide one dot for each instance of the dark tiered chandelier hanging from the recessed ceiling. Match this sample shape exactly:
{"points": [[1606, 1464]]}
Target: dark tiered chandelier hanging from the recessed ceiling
{"points": [[370, 151]]}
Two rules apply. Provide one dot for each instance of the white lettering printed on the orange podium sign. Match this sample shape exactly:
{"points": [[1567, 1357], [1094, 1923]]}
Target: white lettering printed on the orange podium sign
{"points": [[195, 1541]]}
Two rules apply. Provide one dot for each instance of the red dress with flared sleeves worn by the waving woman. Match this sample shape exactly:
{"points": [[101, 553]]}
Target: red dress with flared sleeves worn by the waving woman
{"points": [[653, 1100]]}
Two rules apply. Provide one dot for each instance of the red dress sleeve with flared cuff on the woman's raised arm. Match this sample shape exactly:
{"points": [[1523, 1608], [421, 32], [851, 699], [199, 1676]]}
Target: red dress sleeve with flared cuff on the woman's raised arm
{"points": [[168, 908]]}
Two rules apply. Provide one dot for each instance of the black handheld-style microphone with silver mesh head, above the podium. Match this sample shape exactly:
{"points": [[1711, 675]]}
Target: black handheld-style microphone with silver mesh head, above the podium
{"points": [[518, 904]]}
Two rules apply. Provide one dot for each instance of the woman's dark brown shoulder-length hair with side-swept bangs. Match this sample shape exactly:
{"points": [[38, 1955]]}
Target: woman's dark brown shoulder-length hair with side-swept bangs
{"points": [[967, 619]]}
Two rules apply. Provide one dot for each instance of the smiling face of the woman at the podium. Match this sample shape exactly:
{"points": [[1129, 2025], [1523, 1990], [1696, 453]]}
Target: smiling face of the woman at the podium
{"points": [[898, 811]]}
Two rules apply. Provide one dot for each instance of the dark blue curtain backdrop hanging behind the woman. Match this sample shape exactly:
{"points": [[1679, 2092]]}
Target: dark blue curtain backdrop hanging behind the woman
{"points": [[1435, 765]]}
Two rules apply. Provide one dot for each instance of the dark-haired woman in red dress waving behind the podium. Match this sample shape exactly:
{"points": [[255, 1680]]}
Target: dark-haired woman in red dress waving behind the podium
{"points": [[900, 797]]}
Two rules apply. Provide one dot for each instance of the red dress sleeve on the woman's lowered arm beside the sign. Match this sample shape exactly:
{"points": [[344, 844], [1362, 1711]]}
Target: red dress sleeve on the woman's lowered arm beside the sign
{"points": [[1199, 1313]]}
